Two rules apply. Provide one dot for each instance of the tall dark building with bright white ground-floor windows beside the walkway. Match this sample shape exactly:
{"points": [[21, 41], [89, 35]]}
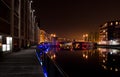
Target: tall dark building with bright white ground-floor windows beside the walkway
{"points": [[18, 25]]}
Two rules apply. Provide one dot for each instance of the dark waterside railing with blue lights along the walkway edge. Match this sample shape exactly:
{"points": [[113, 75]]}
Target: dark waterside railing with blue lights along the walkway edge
{"points": [[49, 65]]}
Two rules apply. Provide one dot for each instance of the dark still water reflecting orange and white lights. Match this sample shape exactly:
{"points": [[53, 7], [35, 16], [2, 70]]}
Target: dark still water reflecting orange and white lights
{"points": [[84, 63]]}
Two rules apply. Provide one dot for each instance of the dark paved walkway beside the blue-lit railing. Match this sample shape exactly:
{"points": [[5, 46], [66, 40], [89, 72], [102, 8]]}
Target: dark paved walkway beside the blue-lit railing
{"points": [[23, 63]]}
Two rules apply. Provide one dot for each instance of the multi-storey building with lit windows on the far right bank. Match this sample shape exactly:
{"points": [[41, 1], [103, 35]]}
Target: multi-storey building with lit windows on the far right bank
{"points": [[109, 33]]}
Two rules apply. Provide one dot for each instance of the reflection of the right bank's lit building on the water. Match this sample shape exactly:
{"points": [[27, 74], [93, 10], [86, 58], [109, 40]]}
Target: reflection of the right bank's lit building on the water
{"points": [[110, 59]]}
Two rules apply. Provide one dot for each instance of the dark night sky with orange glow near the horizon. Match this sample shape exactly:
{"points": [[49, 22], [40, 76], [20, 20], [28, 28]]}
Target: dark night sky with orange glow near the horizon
{"points": [[73, 18]]}
